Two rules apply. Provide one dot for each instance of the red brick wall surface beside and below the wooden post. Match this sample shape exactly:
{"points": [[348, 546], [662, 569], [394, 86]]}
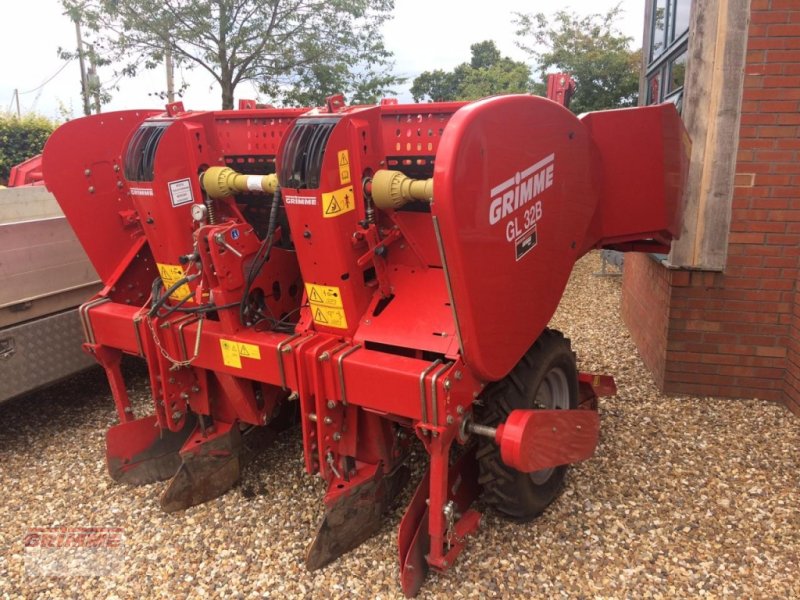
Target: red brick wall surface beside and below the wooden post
{"points": [[737, 333]]}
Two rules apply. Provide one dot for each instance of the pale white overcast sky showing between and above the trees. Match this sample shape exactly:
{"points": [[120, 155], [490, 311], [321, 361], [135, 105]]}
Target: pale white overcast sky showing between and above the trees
{"points": [[425, 34]]}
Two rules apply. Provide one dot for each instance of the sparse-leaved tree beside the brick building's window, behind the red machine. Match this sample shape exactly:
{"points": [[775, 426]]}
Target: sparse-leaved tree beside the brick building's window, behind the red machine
{"points": [[591, 49]]}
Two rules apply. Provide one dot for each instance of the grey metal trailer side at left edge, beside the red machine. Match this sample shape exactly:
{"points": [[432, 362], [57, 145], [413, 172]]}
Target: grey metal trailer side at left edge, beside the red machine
{"points": [[45, 277]]}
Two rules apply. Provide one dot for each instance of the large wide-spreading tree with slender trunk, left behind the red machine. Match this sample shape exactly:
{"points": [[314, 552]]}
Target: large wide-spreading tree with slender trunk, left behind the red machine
{"points": [[295, 50]]}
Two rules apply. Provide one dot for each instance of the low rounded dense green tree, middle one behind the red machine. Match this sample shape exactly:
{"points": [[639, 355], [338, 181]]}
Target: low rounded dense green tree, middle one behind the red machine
{"points": [[488, 73]]}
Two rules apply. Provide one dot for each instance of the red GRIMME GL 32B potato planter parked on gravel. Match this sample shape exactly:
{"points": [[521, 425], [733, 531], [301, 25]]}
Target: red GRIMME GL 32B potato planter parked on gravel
{"points": [[387, 272]]}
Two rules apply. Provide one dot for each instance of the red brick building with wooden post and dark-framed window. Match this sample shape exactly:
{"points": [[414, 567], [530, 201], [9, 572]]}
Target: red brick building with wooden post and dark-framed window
{"points": [[720, 315]]}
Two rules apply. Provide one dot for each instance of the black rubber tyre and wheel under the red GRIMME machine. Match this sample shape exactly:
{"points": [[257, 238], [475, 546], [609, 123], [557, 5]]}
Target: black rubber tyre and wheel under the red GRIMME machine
{"points": [[545, 377]]}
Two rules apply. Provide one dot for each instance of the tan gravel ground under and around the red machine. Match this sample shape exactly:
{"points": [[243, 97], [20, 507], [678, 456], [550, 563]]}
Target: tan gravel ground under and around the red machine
{"points": [[686, 497]]}
